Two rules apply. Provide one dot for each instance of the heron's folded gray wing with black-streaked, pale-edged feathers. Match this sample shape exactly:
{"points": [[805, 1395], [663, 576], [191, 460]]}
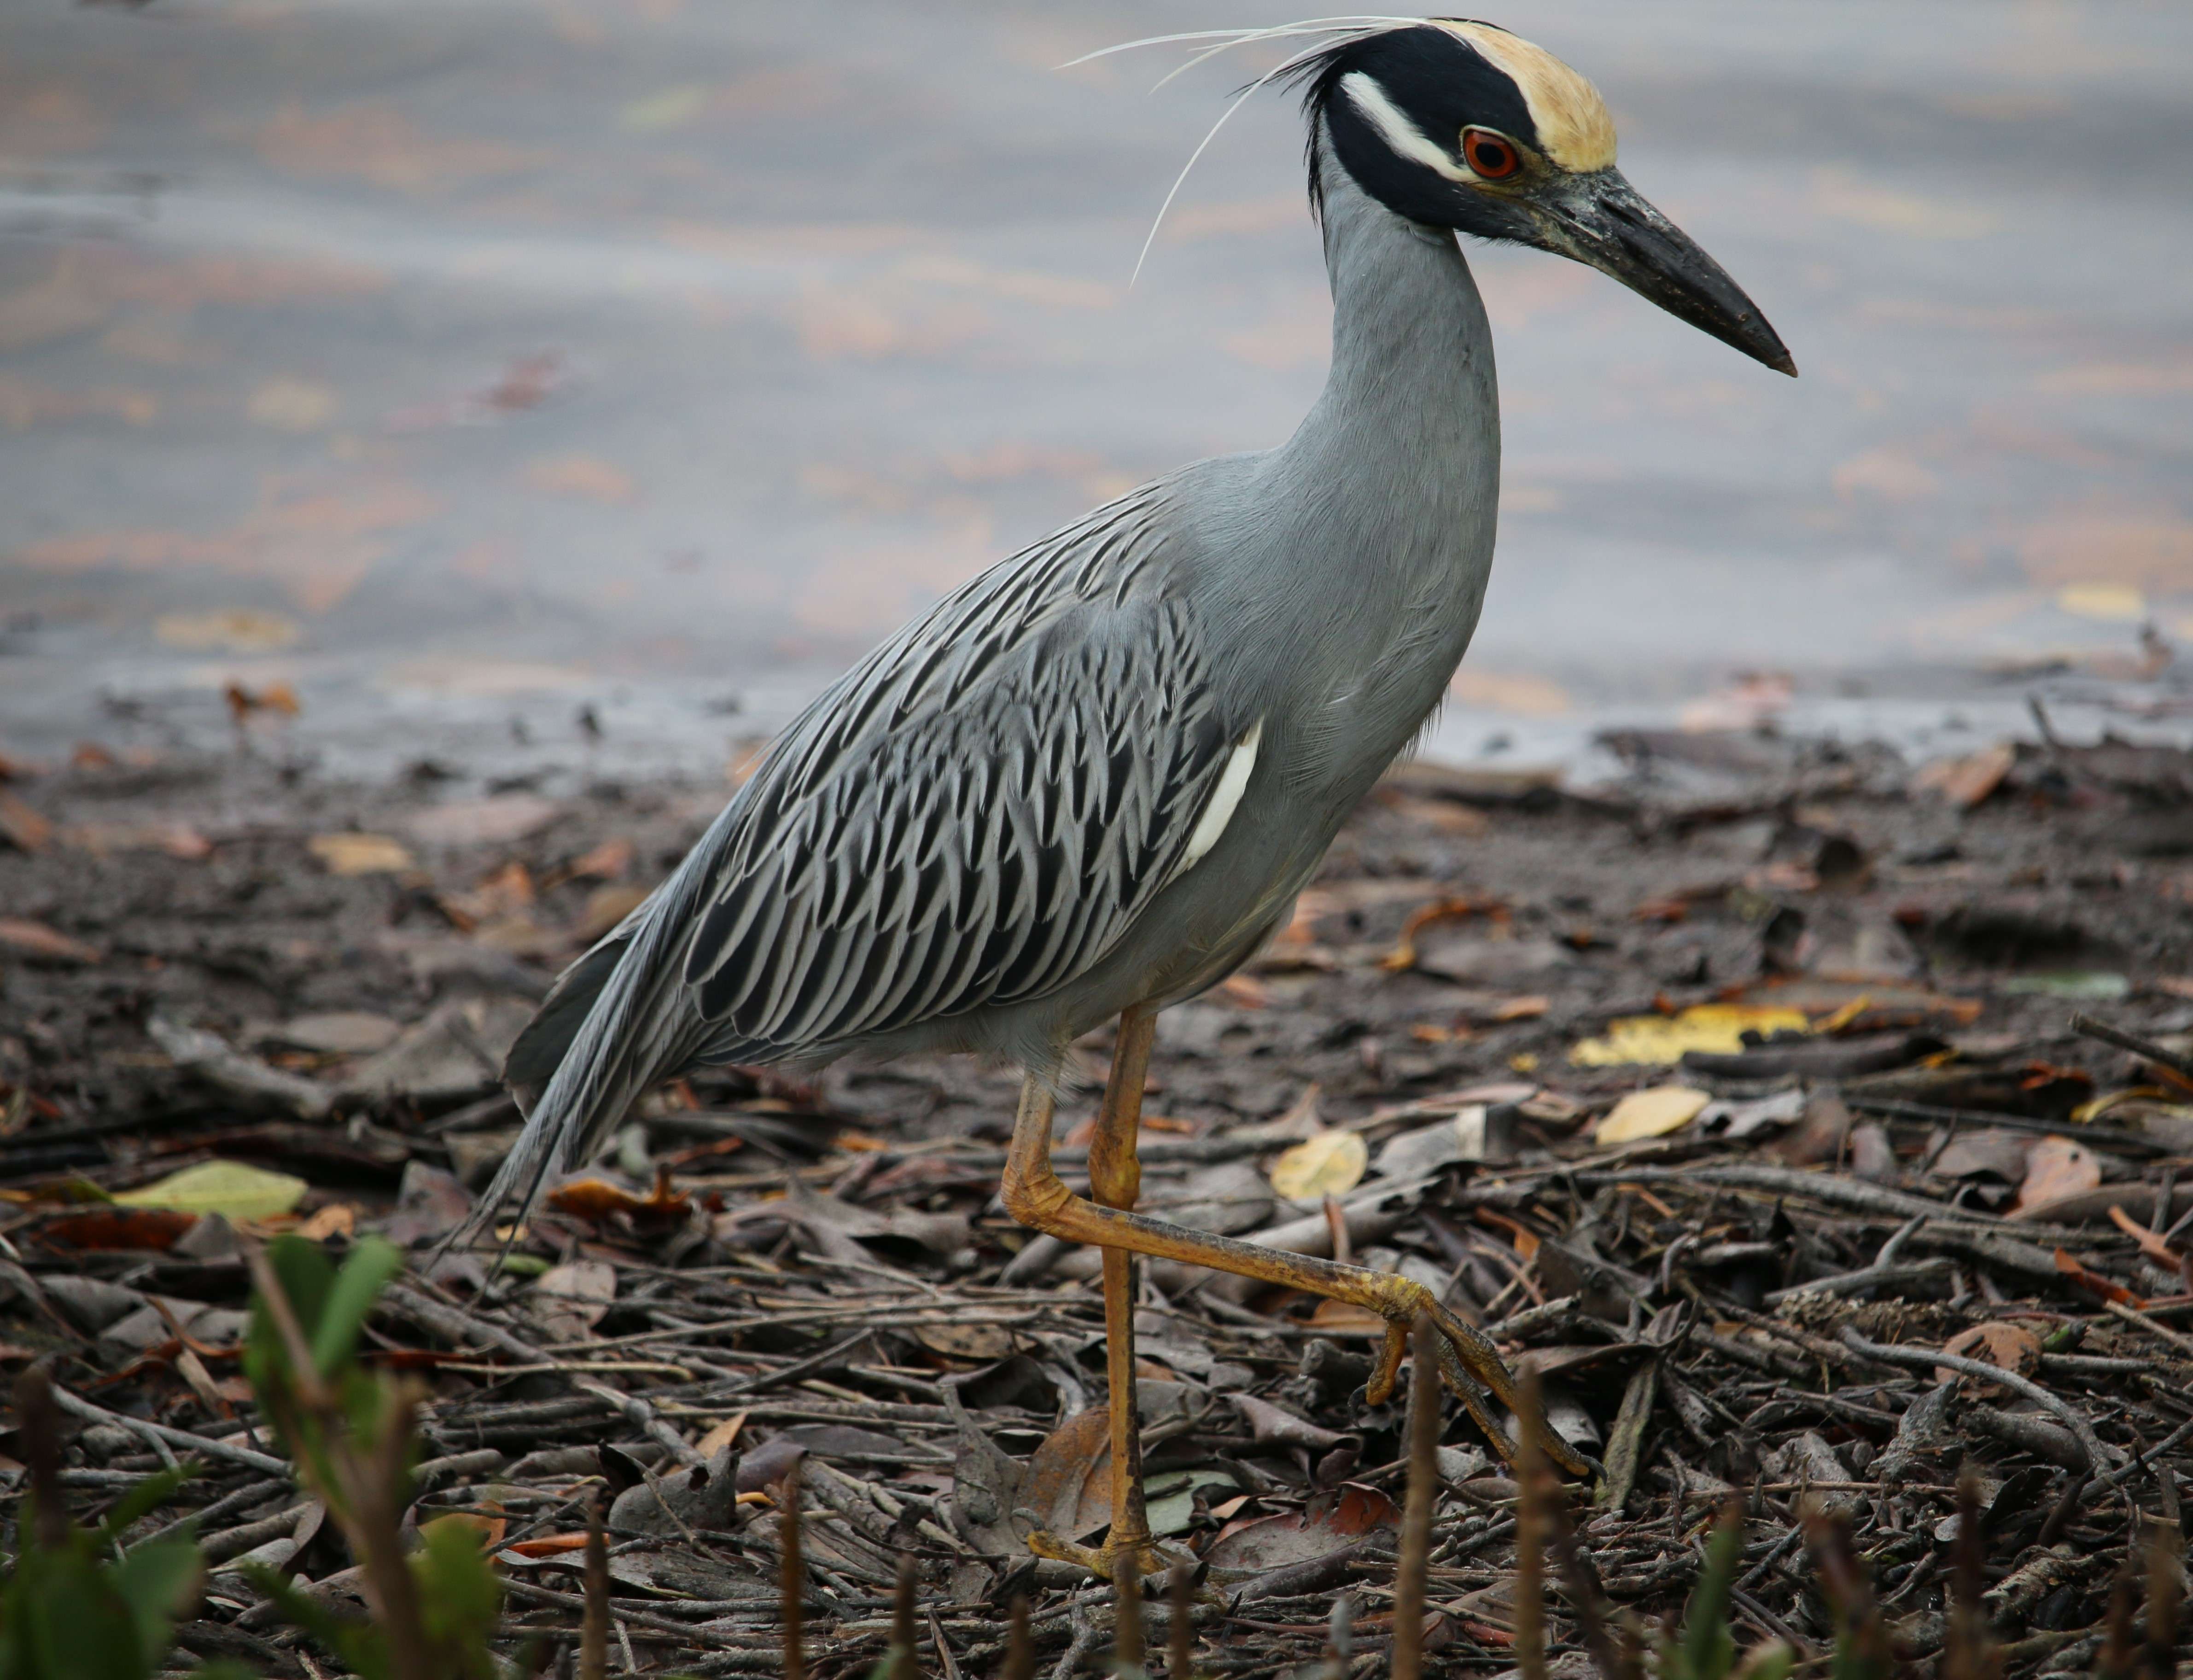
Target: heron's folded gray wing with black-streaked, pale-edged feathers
{"points": [[973, 817]]}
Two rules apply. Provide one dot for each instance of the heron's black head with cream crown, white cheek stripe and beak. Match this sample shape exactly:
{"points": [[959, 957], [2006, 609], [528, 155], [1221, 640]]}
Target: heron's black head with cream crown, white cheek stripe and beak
{"points": [[1464, 126]]}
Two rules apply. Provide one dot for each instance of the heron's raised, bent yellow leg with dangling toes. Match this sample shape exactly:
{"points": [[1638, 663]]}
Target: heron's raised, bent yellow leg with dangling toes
{"points": [[1466, 1359]]}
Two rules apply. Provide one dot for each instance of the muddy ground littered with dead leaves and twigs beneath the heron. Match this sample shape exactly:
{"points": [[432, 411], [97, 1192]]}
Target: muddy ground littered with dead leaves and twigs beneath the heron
{"points": [[1742, 1102]]}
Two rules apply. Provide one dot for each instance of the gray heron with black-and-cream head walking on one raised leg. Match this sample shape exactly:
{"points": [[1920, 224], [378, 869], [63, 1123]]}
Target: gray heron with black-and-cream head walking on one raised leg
{"points": [[1093, 782]]}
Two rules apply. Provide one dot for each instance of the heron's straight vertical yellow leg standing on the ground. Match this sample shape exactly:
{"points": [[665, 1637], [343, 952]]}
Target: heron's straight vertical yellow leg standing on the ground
{"points": [[1115, 1183]]}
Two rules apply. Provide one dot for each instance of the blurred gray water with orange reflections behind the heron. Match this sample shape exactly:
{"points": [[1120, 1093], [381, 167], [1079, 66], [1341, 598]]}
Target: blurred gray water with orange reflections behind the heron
{"points": [[543, 378]]}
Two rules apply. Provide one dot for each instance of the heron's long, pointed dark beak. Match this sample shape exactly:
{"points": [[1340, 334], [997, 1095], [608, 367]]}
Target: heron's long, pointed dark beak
{"points": [[1606, 223]]}
